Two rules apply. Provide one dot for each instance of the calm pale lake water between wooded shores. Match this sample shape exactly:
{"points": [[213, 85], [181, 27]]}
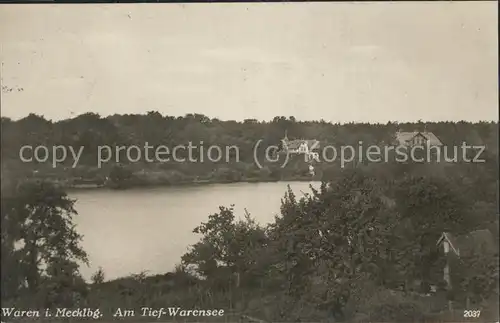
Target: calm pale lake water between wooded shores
{"points": [[131, 231]]}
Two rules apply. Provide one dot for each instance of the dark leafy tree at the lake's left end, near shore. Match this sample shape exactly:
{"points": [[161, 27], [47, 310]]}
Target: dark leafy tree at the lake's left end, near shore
{"points": [[39, 242]]}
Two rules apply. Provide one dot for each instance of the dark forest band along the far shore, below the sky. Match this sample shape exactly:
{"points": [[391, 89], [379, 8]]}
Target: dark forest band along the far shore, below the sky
{"points": [[90, 131]]}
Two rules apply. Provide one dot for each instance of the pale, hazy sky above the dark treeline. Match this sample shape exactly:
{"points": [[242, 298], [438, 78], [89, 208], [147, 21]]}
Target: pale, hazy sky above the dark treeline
{"points": [[341, 62]]}
